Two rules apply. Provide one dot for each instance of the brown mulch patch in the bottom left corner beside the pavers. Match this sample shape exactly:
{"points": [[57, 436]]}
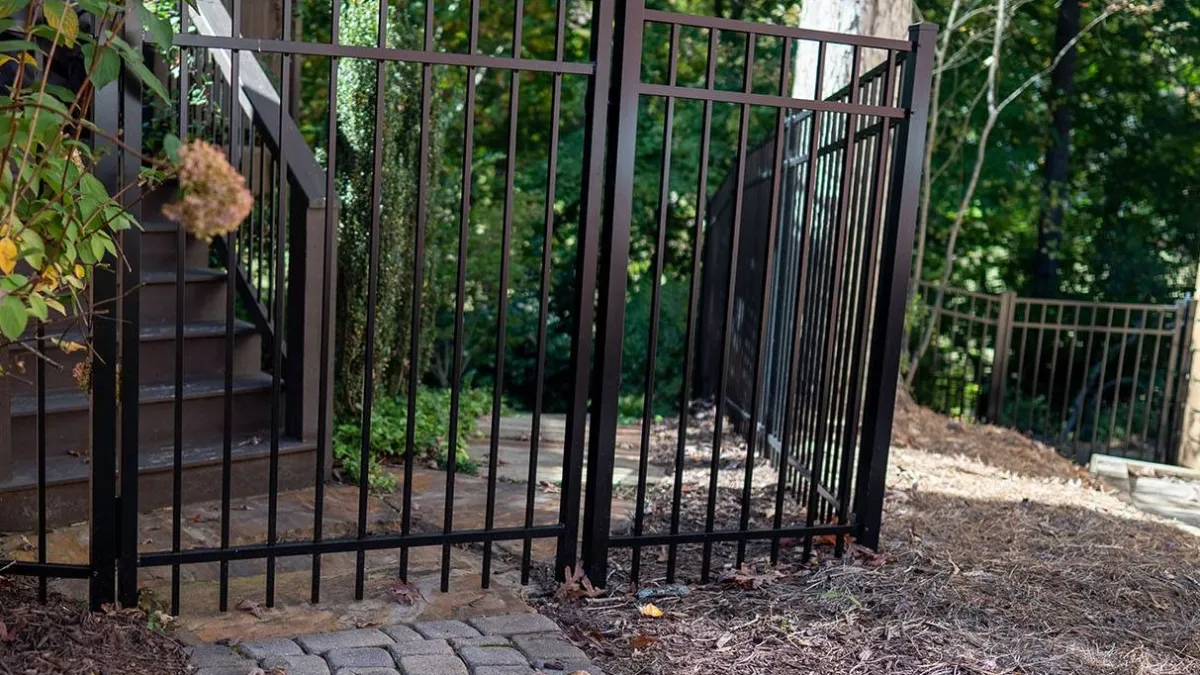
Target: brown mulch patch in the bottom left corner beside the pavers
{"points": [[63, 638]]}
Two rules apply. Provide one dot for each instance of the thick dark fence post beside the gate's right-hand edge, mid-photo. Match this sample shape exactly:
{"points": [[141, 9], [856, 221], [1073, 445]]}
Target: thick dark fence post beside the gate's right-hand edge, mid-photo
{"points": [[619, 198]]}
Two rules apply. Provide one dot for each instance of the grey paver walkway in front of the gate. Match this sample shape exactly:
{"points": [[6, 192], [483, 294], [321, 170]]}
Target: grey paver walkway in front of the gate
{"points": [[521, 644]]}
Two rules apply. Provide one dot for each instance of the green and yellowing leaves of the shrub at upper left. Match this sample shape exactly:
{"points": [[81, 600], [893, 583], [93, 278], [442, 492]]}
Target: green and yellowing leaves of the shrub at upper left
{"points": [[59, 222]]}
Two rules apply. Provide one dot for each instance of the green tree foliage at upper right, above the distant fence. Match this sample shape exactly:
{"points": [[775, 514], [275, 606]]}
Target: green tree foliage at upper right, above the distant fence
{"points": [[1130, 231]]}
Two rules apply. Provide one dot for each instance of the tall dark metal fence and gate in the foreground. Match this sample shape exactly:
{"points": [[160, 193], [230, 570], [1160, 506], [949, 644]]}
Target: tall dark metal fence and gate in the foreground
{"points": [[815, 366]]}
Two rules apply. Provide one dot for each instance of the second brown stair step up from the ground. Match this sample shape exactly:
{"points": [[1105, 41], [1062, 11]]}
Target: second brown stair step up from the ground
{"points": [[69, 427]]}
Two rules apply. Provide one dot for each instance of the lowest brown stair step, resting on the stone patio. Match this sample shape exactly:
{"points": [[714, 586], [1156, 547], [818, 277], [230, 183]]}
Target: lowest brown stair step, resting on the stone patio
{"points": [[69, 479]]}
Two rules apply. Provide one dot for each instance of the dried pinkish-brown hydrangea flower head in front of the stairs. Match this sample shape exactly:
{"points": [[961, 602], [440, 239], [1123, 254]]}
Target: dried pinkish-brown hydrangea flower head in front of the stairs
{"points": [[214, 199]]}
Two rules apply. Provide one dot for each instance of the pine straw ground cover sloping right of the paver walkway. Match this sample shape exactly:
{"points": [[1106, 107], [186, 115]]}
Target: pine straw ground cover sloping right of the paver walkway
{"points": [[999, 558]]}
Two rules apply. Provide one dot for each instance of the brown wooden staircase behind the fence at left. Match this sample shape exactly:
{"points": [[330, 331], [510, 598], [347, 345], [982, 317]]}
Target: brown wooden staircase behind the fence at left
{"points": [[68, 408]]}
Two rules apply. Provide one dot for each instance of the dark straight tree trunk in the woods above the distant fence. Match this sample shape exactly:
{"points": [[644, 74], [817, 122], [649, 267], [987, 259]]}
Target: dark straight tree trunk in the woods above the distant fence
{"points": [[1057, 168]]}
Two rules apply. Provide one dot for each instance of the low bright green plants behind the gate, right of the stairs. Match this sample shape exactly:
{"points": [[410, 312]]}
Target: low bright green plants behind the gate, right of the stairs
{"points": [[389, 433]]}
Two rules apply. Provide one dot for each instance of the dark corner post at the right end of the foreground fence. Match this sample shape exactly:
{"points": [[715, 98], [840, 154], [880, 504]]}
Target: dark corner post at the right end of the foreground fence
{"points": [[892, 295]]}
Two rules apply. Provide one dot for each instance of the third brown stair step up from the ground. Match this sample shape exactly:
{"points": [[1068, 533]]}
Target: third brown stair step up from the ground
{"points": [[205, 355]]}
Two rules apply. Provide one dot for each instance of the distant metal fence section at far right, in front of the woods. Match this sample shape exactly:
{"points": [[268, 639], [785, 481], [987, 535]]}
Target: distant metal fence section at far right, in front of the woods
{"points": [[1085, 378]]}
